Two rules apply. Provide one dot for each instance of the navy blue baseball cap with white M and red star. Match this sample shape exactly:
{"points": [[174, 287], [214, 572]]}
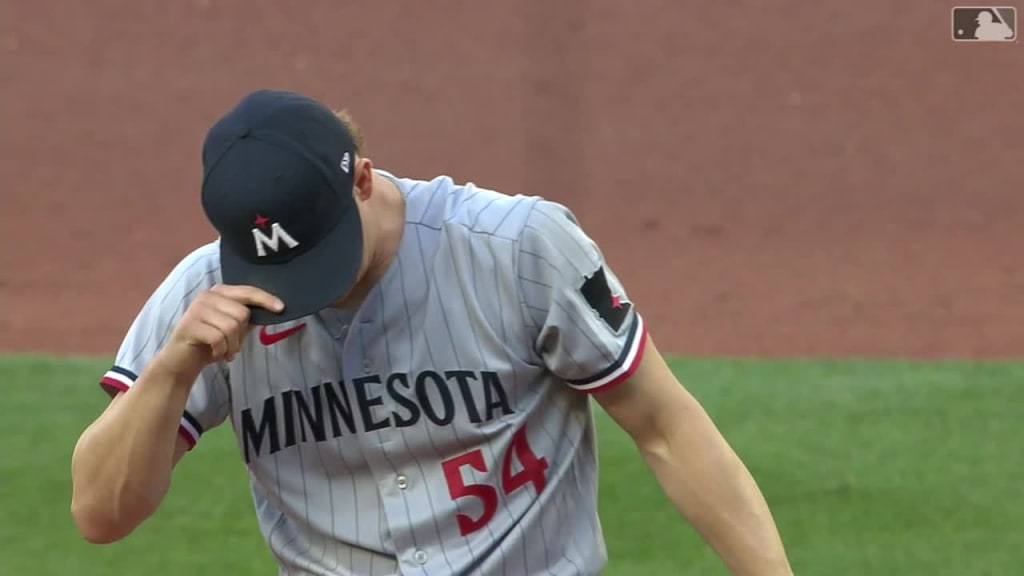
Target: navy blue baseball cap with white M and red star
{"points": [[278, 182]]}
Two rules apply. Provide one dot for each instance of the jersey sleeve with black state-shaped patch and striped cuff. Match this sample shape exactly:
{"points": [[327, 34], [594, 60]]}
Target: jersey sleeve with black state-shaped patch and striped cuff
{"points": [[587, 332]]}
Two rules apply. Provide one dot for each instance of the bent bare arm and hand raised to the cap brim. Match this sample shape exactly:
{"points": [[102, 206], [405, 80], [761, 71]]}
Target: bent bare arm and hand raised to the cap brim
{"points": [[122, 465]]}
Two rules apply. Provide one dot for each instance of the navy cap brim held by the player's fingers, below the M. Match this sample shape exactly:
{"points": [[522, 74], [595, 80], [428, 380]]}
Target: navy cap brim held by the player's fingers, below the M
{"points": [[308, 283]]}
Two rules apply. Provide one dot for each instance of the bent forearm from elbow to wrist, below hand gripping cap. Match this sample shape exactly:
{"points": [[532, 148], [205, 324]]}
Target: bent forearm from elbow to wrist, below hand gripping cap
{"points": [[121, 468]]}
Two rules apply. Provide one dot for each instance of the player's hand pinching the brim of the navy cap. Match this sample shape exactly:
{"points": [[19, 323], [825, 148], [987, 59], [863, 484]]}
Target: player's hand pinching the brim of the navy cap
{"points": [[215, 326]]}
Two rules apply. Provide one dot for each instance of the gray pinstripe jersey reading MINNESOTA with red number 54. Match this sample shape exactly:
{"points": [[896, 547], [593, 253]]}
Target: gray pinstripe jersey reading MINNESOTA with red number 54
{"points": [[445, 428]]}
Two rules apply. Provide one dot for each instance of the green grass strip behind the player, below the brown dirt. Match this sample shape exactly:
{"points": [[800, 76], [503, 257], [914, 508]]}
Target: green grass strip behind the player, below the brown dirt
{"points": [[872, 469]]}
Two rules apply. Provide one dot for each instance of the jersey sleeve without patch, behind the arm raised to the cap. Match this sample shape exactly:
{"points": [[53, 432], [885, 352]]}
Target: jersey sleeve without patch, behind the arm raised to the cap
{"points": [[208, 403]]}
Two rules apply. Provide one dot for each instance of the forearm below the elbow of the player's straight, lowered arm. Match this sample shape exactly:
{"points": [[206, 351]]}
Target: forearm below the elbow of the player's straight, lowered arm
{"points": [[712, 488]]}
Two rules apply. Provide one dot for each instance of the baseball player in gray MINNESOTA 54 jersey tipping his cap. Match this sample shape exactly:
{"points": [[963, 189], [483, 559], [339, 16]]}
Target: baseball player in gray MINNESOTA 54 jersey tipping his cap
{"points": [[408, 367]]}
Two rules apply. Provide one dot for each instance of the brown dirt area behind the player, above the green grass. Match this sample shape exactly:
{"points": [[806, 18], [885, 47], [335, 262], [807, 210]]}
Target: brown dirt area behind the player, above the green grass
{"points": [[769, 178]]}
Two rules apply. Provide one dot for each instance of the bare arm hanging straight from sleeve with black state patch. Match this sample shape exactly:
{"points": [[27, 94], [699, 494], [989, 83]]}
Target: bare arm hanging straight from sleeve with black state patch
{"points": [[700, 473]]}
